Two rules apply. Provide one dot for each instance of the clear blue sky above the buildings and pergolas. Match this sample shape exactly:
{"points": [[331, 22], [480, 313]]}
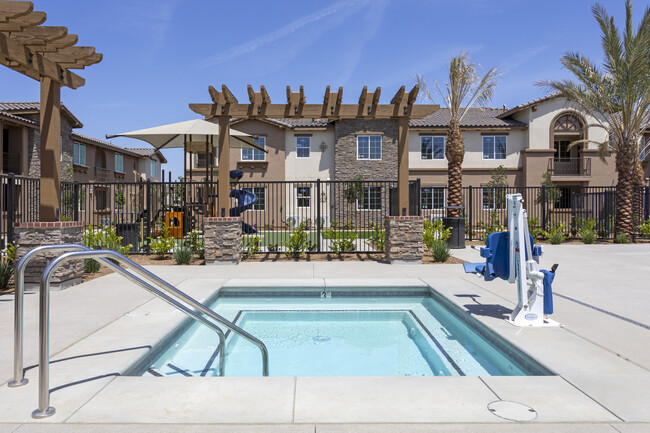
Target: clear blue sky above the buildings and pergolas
{"points": [[161, 55]]}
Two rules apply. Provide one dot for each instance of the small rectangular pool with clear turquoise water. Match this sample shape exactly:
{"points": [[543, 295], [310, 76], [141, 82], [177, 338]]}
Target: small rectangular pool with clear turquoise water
{"points": [[343, 332]]}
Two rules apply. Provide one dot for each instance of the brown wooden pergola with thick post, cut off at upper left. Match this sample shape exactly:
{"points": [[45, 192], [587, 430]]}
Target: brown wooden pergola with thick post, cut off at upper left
{"points": [[46, 54]]}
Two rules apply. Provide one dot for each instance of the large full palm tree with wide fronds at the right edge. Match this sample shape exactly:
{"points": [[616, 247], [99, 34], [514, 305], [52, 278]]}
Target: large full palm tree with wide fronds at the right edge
{"points": [[617, 96]]}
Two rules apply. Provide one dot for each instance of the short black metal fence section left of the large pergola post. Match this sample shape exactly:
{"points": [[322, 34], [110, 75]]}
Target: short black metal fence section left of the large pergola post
{"points": [[19, 202]]}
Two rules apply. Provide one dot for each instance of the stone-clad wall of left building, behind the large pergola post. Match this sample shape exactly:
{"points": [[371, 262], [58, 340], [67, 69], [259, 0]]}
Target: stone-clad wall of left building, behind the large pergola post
{"points": [[34, 149]]}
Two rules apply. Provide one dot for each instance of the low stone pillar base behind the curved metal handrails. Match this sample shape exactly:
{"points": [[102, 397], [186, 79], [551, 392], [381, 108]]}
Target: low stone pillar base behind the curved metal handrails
{"points": [[29, 235]]}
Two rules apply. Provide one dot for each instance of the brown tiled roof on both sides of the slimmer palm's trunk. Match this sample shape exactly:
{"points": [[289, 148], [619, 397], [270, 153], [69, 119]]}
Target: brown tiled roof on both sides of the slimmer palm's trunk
{"points": [[475, 118]]}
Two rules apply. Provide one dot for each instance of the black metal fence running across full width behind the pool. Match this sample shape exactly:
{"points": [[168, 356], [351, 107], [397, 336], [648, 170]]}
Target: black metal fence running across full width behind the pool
{"points": [[321, 216]]}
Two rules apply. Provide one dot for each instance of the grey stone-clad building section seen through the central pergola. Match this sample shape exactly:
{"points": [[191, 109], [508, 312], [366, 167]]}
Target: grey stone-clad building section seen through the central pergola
{"points": [[348, 167]]}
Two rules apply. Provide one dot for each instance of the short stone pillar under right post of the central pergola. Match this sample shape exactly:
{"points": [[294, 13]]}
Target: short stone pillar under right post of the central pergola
{"points": [[404, 239]]}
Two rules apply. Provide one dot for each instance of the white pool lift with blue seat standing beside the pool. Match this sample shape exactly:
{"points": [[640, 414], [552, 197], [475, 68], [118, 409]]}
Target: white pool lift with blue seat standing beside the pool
{"points": [[514, 257]]}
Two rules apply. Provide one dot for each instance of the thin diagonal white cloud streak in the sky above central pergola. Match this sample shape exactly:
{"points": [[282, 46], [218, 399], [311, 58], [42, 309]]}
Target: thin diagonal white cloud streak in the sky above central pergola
{"points": [[337, 9]]}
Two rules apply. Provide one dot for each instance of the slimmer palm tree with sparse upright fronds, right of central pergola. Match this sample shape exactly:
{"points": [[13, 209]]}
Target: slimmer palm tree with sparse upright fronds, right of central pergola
{"points": [[464, 89]]}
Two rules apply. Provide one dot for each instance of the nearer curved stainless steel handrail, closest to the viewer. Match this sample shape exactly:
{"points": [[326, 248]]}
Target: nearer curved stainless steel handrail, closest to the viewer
{"points": [[44, 408]]}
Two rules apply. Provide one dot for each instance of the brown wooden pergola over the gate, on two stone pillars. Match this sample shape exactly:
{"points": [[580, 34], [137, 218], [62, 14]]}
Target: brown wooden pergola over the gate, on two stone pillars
{"points": [[402, 108]]}
